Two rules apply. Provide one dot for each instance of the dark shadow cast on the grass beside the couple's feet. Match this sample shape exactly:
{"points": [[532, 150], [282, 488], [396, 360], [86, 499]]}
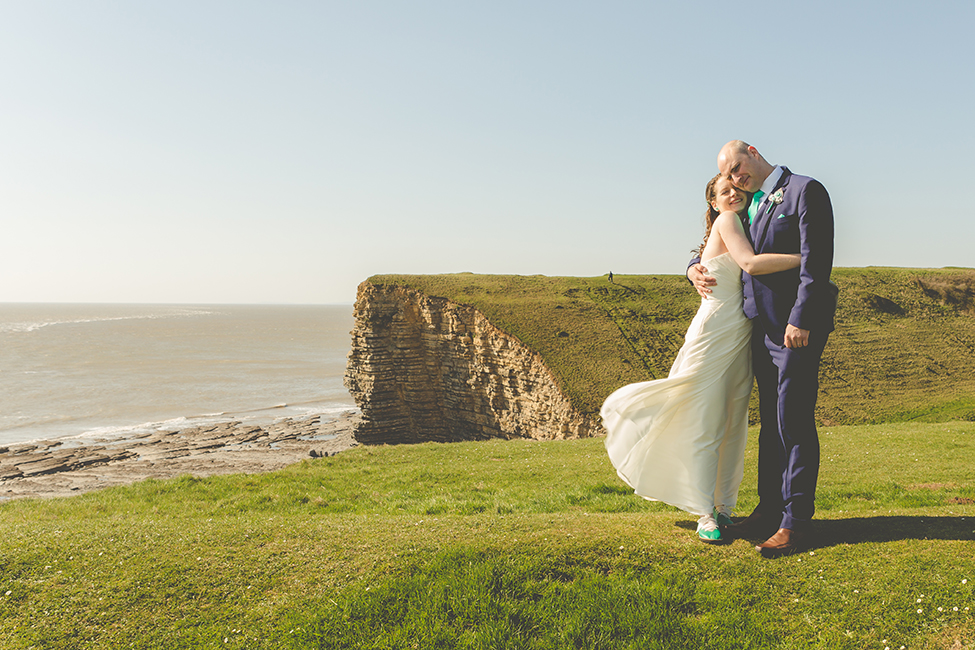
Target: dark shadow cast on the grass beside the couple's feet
{"points": [[860, 530]]}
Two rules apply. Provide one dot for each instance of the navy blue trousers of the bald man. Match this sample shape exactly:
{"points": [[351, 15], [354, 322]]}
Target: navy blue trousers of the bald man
{"points": [[788, 445]]}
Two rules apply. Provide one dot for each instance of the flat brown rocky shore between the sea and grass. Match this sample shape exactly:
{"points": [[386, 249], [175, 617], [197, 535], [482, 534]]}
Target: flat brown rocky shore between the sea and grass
{"points": [[67, 467]]}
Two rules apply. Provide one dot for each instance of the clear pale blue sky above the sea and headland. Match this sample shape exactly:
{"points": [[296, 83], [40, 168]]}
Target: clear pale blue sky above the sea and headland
{"points": [[282, 152]]}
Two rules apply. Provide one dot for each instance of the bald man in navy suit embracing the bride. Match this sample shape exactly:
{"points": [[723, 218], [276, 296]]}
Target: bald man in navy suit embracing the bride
{"points": [[792, 316]]}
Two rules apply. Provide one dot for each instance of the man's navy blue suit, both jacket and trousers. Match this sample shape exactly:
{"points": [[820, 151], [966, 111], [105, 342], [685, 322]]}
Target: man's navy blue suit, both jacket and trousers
{"points": [[788, 380]]}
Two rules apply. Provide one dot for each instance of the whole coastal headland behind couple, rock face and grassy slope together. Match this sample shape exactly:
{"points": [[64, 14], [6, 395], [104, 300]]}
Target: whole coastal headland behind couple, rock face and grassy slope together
{"points": [[537, 355]]}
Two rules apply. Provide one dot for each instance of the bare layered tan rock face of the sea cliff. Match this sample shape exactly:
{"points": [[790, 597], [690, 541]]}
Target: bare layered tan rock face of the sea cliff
{"points": [[423, 368]]}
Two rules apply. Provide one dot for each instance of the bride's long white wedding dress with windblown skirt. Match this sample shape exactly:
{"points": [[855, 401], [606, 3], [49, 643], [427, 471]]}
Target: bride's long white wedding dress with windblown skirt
{"points": [[681, 440]]}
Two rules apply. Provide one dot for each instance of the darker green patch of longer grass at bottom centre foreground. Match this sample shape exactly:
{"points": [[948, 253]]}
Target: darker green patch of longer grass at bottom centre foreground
{"points": [[478, 599]]}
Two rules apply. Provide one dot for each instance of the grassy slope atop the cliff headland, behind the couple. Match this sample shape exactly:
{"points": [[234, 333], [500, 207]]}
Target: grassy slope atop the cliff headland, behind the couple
{"points": [[917, 363]]}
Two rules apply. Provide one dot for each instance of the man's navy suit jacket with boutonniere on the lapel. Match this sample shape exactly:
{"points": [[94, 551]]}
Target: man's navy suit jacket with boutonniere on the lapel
{"points": [[802, 223]]}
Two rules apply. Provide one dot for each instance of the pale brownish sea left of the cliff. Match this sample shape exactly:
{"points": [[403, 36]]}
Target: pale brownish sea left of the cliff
{"points": [[103, 371]]}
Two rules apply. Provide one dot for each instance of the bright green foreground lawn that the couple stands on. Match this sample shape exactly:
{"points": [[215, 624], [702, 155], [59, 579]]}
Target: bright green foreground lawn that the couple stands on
{"points": [[496, 544]]}
